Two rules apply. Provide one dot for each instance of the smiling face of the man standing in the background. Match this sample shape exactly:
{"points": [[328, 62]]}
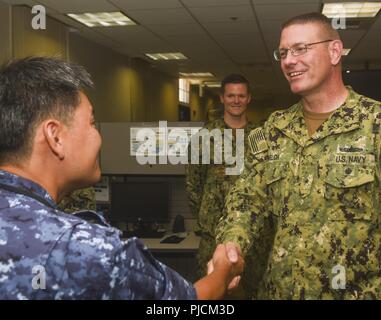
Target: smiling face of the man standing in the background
{"points": [[235, 99]]}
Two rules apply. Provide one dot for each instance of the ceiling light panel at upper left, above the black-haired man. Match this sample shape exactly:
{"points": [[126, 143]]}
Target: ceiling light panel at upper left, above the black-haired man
{"points": [[102, 19]]}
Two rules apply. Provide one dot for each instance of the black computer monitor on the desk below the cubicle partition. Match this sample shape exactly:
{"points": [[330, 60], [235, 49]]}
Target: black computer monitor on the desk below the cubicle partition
{"points": [[144, 202]]}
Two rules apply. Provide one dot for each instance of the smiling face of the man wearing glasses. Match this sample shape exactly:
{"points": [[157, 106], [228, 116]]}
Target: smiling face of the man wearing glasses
{"points": [[308, 72]]}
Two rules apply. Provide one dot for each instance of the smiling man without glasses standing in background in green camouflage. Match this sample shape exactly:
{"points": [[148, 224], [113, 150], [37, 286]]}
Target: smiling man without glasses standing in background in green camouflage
{"points": [[208, 185]]}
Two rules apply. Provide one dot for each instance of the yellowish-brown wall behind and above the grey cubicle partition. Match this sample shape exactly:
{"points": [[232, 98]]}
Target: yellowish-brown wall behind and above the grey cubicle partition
{"points": [[126, 89]]}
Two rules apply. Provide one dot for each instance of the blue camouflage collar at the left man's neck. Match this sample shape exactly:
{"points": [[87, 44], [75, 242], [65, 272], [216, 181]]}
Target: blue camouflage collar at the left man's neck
{"points": [[26, 185]]}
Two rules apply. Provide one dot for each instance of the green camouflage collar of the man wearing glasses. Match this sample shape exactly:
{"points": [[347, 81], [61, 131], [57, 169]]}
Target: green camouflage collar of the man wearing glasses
{"points": [[345, 118]]}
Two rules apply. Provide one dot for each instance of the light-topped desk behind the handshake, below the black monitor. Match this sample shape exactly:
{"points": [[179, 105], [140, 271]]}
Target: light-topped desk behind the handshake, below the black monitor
{"points": [[179, 256]]}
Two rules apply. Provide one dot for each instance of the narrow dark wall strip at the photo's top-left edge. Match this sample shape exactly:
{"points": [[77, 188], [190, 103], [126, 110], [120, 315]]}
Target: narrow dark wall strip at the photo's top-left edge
{"points": [[5, 32]]}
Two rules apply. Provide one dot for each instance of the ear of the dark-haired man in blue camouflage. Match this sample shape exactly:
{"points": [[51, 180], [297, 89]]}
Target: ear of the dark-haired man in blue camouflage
{"points": [[53, 131]]}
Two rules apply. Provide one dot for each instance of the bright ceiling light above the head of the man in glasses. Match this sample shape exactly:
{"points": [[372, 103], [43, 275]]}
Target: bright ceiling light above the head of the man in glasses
{"points": [[351, 9]]}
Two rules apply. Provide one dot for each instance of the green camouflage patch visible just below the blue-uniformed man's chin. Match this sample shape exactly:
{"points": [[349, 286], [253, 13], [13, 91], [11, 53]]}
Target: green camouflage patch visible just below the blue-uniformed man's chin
{"points": [[82, 199]]}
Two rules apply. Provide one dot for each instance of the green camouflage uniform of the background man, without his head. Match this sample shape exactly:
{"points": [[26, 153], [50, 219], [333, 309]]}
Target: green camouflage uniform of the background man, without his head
{"points": [[208, 186]]}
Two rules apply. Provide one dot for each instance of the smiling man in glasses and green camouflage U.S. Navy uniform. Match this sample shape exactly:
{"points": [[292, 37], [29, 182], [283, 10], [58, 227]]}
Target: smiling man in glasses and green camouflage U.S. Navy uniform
{"points": [[322, 185]]}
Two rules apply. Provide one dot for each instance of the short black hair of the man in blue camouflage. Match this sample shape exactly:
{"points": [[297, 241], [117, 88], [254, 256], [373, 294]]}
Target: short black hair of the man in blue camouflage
{"points": [[32, 89]]}
